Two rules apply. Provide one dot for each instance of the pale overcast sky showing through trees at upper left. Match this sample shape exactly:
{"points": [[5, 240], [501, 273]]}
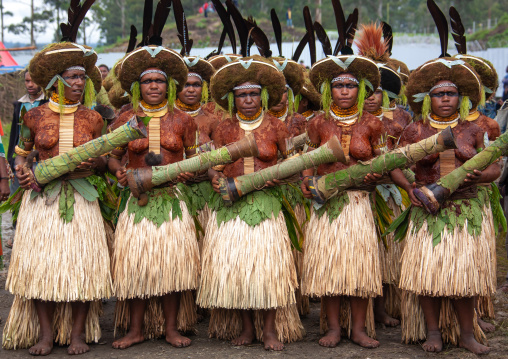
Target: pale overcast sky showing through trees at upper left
{"points": [[21, 9]]}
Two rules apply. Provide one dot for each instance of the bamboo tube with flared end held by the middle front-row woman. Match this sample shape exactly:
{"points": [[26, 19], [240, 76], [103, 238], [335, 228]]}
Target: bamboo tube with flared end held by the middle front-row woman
{"points": [[234, 188]]}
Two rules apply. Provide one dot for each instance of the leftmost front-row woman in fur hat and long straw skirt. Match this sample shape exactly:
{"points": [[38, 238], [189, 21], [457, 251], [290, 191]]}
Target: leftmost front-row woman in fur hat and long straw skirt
{"points": [[59, 269]]}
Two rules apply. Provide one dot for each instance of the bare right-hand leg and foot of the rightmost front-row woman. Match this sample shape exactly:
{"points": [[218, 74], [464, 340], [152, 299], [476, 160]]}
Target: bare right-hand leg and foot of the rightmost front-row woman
{"points": [[465, 313]]}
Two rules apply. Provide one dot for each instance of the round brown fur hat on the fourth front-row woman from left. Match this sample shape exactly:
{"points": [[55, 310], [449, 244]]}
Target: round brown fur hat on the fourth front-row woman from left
{"points": [[358, 66]]}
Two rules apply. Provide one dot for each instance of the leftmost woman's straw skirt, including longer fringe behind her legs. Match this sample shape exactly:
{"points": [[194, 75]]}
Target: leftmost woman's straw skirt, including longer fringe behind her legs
{"points": [[60, 262]]}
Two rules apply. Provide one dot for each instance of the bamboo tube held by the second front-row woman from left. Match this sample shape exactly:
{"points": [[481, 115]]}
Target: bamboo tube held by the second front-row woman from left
{"points": [[141, 180]]}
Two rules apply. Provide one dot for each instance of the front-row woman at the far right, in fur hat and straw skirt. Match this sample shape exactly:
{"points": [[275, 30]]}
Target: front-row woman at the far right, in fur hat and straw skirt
{"points": [[447, 258]]}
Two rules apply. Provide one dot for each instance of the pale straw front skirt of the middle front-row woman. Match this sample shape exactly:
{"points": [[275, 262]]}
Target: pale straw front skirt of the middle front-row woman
{"points": [[247, 267]]}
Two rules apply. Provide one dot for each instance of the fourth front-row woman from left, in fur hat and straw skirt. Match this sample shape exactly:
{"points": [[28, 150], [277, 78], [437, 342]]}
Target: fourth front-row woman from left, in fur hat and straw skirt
{"points": [[333, 236]]}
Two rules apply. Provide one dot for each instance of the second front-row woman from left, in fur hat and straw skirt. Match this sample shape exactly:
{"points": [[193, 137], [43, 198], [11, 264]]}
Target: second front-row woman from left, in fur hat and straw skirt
{"points": [[156, 257]]}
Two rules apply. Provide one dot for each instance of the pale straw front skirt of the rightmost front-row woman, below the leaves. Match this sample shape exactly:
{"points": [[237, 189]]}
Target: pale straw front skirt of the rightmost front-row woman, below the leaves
{"points": [[459, 266]]}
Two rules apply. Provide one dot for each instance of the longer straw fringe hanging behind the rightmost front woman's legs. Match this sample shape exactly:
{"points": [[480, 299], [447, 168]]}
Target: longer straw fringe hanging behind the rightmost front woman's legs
{"points": [[413, 322]]}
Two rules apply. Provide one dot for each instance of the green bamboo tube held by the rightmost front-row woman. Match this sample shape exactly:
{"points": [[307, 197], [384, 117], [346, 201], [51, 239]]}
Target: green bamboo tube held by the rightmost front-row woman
{"points": [[433, 195]]}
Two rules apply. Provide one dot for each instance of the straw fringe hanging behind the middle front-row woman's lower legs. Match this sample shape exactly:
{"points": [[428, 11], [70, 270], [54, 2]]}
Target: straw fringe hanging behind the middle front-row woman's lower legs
{"points": [[226, 324]]}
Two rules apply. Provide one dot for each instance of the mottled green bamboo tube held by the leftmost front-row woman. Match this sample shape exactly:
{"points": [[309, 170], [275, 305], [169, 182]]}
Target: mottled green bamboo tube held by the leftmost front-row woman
{"points": [[52, 168]]}
